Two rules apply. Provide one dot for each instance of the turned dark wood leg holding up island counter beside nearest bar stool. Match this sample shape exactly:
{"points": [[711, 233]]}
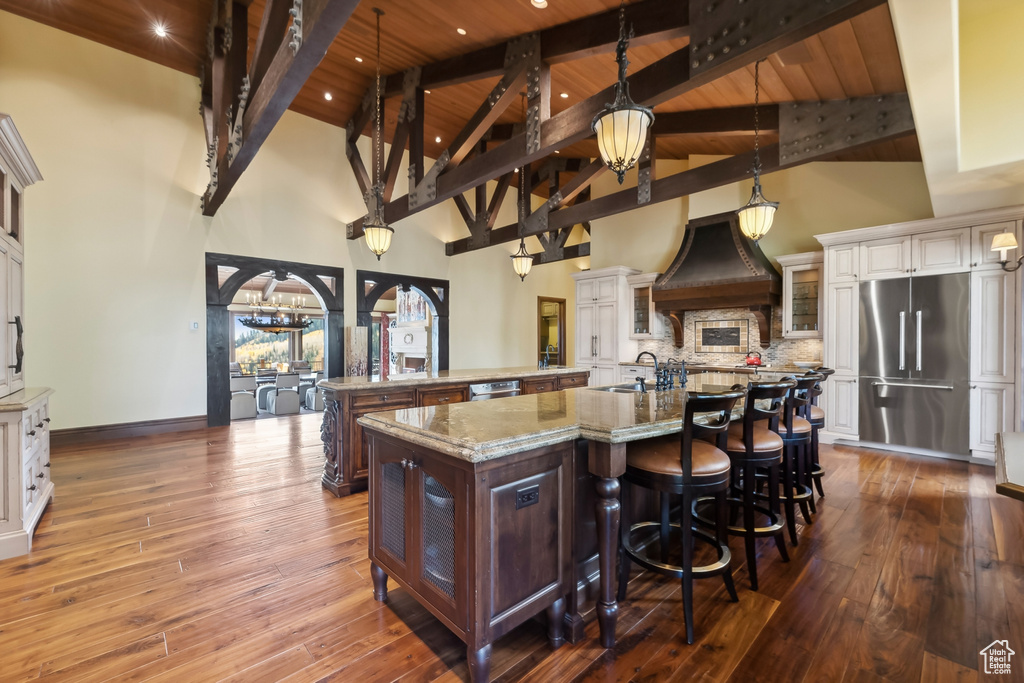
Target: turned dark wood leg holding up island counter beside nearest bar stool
{"points": [[608, 462]]}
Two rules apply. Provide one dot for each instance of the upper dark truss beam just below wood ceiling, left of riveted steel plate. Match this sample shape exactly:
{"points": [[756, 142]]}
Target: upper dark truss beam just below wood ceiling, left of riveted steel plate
{"points": [[653, 21]]}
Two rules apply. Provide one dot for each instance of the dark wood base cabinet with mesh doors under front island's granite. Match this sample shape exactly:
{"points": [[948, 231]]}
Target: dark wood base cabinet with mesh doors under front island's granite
{"points": [[454, 535]]}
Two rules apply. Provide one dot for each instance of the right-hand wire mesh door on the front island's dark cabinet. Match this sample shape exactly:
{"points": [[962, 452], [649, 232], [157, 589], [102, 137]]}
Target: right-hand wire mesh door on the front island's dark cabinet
{"points": [[442, 538]]}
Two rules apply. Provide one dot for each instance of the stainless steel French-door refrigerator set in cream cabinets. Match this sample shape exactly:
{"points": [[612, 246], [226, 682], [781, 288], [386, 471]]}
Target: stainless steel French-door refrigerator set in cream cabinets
{"points": [[914, 362]]}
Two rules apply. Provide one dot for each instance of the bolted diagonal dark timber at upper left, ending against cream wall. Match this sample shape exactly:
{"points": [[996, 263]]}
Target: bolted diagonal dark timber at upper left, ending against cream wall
{"points": [[288, 72]]}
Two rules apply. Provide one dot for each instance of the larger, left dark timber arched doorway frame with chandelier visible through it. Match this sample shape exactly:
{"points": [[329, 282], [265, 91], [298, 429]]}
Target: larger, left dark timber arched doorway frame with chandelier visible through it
{"points": [[219, 320]]}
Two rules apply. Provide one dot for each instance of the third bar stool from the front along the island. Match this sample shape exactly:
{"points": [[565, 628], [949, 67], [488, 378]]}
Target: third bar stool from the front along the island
{"points": [[796, 433]]}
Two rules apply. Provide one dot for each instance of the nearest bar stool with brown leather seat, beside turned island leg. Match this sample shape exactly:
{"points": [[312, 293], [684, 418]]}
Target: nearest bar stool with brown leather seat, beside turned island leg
{"points": [[682, 465]]}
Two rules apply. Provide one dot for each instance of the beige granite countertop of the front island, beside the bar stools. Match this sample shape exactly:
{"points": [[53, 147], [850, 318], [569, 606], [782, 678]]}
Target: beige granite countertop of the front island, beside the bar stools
{"points": [[484, 431]]}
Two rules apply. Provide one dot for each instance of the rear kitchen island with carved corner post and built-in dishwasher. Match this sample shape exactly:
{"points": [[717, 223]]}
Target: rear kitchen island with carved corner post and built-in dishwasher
{"points": [[348, 399]]}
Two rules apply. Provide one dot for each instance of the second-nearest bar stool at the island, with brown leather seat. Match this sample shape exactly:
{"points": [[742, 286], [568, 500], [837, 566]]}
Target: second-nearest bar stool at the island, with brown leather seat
{"points": [[754, 448]]}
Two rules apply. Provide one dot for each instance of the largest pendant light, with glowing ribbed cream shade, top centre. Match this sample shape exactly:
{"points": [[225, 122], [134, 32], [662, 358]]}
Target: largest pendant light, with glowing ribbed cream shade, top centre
{"points": [[622, 127]]}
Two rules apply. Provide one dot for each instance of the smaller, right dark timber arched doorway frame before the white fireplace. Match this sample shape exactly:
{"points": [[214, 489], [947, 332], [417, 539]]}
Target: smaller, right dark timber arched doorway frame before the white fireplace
{"points": [[371, 287]]}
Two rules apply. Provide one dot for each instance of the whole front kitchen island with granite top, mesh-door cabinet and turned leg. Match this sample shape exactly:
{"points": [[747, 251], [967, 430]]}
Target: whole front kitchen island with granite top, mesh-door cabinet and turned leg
{"points": [[486, 513]]}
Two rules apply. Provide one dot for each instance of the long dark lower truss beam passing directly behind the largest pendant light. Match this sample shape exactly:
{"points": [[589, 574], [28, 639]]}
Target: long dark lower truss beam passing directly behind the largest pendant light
{"points": [[764, 34]]}
